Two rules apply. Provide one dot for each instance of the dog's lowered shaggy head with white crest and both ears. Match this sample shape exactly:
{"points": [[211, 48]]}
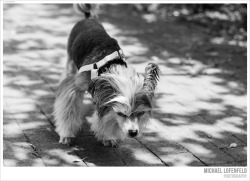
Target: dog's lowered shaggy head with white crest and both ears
{"points": [[124, 98]]}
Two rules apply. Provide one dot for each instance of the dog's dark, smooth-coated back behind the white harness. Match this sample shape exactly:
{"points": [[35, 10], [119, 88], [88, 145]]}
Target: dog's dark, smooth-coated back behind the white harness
{"points": [[88, 42]]}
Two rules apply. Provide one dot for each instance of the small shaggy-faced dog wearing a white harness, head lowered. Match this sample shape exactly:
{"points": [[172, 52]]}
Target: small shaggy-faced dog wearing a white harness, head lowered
{"points": [[122, 97]]}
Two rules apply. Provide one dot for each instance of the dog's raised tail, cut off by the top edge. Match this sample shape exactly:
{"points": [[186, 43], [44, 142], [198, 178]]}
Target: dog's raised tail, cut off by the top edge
{"points": [[89, 10]]}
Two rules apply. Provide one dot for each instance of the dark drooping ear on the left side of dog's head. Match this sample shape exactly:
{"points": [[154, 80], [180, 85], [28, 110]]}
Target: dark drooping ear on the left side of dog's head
{"points": [[101, 89]]}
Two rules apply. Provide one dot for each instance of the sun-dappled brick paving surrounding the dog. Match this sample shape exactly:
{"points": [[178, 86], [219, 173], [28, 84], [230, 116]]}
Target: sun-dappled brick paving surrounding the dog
{"points": [[200, 112]]}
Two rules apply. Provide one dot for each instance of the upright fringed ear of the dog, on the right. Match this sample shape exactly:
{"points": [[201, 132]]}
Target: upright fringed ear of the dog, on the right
{"points": [[151, 77]]}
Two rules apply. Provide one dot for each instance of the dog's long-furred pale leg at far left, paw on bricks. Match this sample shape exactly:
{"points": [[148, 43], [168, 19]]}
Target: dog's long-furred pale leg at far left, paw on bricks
{"points": [[67, 110]]}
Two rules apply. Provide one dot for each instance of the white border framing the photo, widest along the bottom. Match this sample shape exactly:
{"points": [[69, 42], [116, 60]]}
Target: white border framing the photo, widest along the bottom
{"points": [[113, 173]]}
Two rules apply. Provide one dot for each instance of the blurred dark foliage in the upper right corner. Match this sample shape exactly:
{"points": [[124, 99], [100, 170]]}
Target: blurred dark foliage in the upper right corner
{"points": [[227, 20]]}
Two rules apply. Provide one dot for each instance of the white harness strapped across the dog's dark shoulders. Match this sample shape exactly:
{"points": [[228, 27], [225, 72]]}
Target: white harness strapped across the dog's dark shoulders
{"points": [[95, 66]]}
